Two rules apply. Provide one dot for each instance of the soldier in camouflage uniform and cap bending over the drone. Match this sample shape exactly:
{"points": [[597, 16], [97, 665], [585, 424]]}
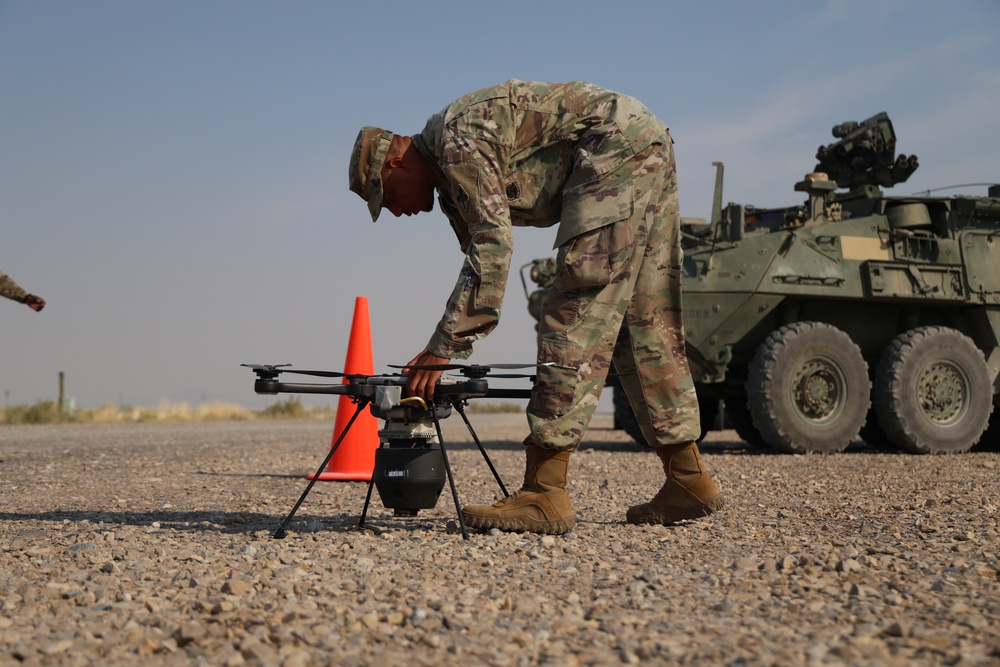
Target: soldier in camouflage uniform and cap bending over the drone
{"points": [[599, 165]]}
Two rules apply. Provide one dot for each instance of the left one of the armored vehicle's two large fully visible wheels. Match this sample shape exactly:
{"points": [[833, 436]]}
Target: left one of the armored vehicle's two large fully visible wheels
{"points": [[808, 389]]}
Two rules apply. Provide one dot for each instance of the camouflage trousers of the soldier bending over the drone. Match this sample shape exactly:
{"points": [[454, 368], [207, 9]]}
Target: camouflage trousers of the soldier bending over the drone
{"points": [[617, 297]]}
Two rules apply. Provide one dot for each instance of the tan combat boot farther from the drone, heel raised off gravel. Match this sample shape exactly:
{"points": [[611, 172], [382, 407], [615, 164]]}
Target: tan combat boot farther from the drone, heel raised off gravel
{"points": [[688, 493]]}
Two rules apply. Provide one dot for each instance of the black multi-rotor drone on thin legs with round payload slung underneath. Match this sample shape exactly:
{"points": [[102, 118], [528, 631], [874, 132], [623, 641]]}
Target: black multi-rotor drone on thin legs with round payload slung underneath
{"points": [[411, 462]]}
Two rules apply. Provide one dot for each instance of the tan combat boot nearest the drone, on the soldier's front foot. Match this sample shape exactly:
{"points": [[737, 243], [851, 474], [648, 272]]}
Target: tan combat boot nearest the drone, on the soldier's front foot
{"points": [[542, 504]]}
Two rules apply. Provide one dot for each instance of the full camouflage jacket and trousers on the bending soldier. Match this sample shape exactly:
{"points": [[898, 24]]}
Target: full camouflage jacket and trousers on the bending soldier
{"points": [[601, 166]]}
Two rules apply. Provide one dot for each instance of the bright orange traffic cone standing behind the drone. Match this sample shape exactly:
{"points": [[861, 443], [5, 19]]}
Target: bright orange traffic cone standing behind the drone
{"points": [[354, 459]]}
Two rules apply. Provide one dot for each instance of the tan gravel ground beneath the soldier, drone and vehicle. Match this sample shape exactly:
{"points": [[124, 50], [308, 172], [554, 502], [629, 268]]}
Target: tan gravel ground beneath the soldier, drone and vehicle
{"points": [[152, 544]]}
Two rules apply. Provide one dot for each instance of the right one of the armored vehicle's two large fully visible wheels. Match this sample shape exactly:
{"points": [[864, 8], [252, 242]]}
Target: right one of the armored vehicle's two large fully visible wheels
{"points": [[933, 391]]}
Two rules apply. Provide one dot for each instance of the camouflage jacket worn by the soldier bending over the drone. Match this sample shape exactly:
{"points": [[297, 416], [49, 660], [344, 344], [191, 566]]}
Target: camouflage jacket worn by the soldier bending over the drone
{"points": [[527, 154]]}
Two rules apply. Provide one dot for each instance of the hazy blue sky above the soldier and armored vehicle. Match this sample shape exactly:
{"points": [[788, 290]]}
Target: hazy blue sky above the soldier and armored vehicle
{"points": [[173, 174]]}
